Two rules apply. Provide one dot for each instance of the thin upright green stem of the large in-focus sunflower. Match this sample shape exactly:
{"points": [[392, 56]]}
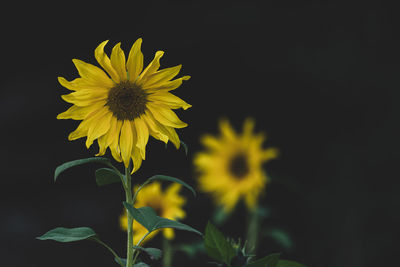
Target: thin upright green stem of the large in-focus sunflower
{"points": [[129, 199]]}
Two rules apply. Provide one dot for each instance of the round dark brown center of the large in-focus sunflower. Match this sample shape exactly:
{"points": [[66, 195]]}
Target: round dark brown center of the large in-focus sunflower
{"points": [[127, 101]]}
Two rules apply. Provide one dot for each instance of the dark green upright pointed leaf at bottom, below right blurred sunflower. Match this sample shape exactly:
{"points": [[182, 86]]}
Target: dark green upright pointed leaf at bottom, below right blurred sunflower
{"points": [[216, 245]]}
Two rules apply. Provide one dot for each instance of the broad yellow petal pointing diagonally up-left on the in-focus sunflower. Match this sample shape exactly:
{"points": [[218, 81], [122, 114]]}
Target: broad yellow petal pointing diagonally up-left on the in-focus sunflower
{"points": [[93, 74]]}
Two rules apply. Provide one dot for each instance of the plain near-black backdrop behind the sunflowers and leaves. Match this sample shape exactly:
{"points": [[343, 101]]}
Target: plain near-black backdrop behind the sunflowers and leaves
{"points": [[320, 78]]}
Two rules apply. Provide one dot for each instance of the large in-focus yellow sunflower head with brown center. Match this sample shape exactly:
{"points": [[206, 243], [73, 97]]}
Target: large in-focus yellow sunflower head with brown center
{"points": [[123, 104]]}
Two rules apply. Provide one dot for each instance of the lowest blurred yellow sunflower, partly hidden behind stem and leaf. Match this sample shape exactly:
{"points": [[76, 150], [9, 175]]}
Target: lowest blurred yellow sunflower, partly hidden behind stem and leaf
{"points": [[167, 204]]}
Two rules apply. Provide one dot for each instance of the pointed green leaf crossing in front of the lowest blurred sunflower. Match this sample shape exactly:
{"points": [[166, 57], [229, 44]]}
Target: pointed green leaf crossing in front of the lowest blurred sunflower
{"points": [[147, 217]]}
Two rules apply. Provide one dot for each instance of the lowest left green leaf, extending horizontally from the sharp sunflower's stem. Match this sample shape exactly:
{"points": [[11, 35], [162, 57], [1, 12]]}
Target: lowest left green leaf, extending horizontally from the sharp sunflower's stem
{"points": [[62, 234]]}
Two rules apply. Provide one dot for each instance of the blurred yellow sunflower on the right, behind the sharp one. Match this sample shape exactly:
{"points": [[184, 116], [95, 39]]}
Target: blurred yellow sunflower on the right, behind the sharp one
{"points": [[231, 167]]}
